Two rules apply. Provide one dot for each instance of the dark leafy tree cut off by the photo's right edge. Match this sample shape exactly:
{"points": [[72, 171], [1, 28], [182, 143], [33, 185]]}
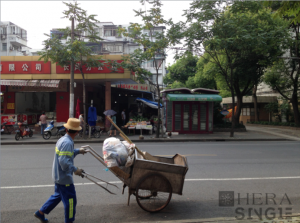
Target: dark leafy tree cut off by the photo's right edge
{"points": [[284, 76]]}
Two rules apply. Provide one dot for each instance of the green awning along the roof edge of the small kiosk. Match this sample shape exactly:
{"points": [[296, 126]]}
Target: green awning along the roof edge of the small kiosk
{"points": [[194, 97]]}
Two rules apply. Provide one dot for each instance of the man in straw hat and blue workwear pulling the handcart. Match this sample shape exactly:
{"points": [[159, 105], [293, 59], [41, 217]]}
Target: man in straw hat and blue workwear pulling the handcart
{"points": [[62, 174]]}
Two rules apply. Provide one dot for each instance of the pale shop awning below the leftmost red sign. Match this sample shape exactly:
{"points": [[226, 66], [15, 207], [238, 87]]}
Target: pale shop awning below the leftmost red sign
{"points": [[31, 83]]}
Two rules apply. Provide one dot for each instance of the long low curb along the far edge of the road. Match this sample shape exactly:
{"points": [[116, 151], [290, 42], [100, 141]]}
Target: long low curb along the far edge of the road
{"points": [[146, 140]]}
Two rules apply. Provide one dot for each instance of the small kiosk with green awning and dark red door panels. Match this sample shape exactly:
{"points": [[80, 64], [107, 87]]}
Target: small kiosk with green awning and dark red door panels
{"points": [[189, 113]]}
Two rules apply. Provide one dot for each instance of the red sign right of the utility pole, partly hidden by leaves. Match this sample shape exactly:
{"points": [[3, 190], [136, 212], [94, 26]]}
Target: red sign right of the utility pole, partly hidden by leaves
{"points": [[88, 70]]}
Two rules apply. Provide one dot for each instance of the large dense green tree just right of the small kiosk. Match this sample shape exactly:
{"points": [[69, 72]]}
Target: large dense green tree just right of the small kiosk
{"points": [[238, 43]]}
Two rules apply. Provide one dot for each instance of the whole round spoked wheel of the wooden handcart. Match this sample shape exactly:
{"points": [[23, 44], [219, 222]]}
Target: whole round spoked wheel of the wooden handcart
{"points": [[153, 192]]}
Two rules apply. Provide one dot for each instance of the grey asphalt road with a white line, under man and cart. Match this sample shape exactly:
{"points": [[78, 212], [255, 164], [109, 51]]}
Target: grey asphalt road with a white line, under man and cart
{"points": [[267, 168]]}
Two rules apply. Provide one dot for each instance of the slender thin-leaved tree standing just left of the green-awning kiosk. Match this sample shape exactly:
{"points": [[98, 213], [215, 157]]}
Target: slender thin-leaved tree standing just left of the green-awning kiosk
{"points": [[154, 41]]}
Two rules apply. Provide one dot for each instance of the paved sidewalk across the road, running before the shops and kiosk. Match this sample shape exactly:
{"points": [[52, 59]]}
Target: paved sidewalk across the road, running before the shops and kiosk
{"points": [[253, 133]]}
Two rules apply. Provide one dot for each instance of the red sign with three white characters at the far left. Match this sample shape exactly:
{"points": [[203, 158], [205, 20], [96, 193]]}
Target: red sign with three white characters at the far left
{"points": [[25, 67]]}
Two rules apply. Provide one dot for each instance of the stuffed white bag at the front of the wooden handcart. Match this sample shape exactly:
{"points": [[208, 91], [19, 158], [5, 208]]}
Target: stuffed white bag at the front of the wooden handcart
{"points": [[115, 152]]}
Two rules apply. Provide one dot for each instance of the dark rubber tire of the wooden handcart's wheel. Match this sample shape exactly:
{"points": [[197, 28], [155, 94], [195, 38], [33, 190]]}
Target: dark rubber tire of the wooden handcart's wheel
{"points": [[140, 198]]}
